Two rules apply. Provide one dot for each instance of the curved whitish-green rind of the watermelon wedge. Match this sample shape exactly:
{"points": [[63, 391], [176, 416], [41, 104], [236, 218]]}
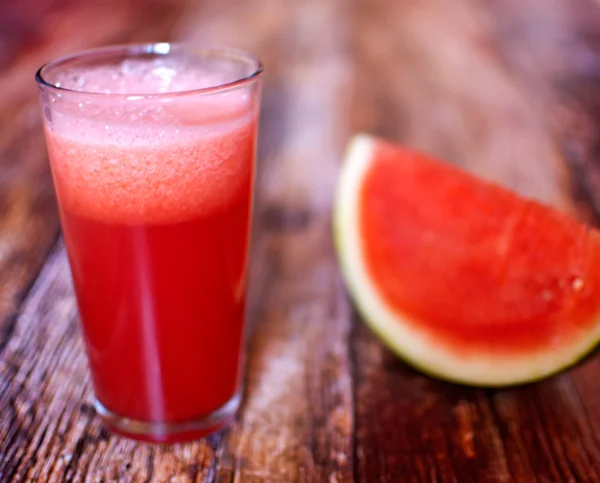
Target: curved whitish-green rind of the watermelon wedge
{"points": [[401, 335]]}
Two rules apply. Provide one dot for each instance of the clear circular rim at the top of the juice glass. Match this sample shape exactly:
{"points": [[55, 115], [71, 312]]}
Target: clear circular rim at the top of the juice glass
{"points": [[158, 48]]}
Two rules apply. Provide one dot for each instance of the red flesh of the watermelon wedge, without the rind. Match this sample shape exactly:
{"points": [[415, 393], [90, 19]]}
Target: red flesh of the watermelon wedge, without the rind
{"points": [[472, 264]]}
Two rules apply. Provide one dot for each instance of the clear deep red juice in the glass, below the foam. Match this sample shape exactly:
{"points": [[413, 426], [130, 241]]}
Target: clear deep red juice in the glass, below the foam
{"points": [[163, 308]]}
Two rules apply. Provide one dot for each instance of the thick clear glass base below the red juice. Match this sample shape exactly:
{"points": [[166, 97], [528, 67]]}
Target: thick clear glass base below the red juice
{"points": [[164, 432]]}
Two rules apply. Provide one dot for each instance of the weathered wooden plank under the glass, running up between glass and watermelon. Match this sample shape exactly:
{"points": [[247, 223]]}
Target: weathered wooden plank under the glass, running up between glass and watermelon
{"points": [[297, 418]]}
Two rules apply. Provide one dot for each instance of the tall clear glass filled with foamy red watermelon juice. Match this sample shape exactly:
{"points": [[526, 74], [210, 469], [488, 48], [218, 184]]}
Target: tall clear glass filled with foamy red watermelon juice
{"points": [[152, 152]]}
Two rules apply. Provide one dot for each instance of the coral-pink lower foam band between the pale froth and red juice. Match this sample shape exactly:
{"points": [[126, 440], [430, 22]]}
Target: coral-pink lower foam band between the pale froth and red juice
{"points": [[154, 183]]}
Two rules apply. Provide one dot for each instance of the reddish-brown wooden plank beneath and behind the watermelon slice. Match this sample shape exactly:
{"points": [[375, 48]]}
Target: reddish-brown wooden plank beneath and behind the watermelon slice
{"points": [[433, 77]]}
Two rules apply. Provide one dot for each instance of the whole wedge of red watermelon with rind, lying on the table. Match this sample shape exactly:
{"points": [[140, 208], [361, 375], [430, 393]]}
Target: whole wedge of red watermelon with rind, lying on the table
{"points": [[462, 278]]}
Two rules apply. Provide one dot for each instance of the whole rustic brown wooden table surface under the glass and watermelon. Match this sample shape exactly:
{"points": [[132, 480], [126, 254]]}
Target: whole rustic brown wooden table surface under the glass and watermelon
{"points": [[510, 89]]}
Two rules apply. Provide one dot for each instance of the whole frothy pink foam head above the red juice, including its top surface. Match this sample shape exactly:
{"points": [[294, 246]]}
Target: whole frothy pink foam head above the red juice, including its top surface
{"points": [[131, 159]]}
